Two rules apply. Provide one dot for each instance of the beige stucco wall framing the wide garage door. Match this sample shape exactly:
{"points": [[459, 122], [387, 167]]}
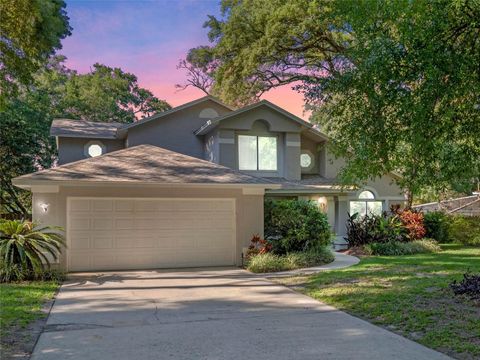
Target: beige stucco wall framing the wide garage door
{"points": [[249, 208]]}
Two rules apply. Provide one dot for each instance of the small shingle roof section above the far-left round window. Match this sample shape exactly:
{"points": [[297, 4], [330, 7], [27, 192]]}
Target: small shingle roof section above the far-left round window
{"points": [[82, 128]]}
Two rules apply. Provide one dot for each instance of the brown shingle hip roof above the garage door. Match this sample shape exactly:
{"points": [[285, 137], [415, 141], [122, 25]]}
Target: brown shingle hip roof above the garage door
{"points": [[143, 164]]}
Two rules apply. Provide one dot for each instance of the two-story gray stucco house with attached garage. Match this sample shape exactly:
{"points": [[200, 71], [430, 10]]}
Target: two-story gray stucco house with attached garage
{"points": [[186, 187]]}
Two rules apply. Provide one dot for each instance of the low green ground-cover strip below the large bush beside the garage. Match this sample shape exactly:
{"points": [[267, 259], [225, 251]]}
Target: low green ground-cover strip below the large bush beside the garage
{"points": [[269, 262]]}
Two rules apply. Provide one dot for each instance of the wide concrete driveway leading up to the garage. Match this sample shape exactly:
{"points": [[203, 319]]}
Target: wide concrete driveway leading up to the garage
{"points": [[206, 314]]}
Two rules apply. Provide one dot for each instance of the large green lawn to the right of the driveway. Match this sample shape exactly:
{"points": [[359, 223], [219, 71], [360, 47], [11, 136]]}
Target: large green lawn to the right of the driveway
{"points": [[408, 295]]}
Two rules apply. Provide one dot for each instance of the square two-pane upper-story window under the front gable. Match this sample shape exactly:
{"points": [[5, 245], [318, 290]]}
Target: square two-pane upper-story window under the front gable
{"points": [[257, 152]]}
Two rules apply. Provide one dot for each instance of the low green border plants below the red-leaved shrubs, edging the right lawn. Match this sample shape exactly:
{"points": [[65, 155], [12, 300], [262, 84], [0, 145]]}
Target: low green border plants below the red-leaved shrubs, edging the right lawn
{"points": [[395, 248]]}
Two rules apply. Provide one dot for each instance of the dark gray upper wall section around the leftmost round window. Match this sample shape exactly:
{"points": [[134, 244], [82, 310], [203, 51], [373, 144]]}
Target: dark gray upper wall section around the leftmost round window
{"points": [[73, 149]]}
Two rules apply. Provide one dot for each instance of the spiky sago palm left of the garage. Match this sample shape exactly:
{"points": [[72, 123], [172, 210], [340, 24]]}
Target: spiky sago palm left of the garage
{"points": [[26, 249]]}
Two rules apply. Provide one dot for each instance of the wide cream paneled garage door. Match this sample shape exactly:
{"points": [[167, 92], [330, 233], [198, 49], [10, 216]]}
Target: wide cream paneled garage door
{"points": [[116, 234]]}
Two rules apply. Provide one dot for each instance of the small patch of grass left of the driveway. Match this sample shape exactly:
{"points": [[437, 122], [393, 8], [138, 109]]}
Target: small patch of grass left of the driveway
{"points": [[20, 305]]}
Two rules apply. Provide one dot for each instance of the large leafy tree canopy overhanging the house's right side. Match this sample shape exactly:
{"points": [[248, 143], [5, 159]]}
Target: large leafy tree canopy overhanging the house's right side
{"points": [[396, 84]]}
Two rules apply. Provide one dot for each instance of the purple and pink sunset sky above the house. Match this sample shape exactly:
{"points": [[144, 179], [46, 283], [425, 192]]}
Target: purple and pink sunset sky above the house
{"points": [[148, 38]]}
